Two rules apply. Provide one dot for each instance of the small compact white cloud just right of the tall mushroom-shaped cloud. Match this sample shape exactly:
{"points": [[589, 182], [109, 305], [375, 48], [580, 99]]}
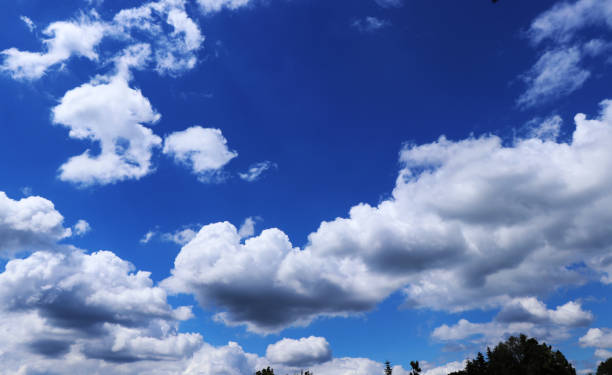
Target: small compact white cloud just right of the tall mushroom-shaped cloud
{"points": [[204, 150]]}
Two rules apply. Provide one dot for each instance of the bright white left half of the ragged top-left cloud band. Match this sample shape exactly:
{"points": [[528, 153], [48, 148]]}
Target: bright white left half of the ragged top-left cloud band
{"points": [[65, 39]]}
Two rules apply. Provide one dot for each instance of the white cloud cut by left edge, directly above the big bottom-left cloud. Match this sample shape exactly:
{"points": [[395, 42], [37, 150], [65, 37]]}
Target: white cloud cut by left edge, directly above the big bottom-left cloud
{"points": [[29, 223]]}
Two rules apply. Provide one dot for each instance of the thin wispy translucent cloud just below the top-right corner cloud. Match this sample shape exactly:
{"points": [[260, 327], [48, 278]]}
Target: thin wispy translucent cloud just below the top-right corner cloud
{"points": [[557, 73]]}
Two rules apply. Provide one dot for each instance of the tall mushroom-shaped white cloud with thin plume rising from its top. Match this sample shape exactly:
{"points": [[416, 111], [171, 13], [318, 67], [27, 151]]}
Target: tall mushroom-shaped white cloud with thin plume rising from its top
{"points": [[108, 111]]}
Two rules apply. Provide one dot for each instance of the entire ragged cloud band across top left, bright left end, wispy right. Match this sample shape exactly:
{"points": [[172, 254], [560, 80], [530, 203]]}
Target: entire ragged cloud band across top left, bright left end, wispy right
{"points": [[174, 52]]}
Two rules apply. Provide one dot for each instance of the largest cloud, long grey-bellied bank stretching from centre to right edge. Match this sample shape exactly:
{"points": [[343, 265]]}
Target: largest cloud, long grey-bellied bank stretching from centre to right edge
{"points": [[471, 224]]}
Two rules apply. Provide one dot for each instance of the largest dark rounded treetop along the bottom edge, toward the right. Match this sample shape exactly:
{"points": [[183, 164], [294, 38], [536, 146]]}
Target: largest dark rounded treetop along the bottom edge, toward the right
{"points": [[519, 356]]}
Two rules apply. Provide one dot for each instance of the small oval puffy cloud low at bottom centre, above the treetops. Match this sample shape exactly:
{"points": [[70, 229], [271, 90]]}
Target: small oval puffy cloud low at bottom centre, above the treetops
{"points": [[304, 352]]}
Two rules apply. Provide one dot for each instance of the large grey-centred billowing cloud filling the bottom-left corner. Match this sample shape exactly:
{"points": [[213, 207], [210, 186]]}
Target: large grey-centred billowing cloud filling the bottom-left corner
{"points": [[93, 306]]}
